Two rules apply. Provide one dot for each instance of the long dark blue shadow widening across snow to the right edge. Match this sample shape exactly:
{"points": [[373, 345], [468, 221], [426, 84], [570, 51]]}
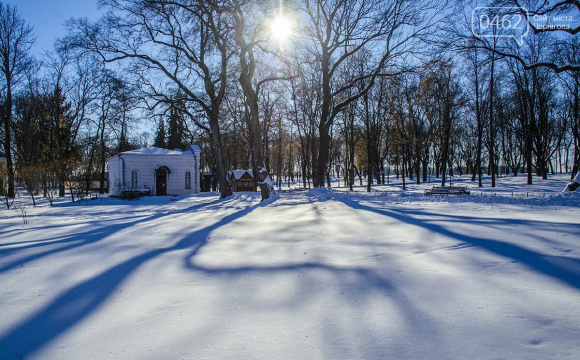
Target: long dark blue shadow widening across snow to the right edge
{"points": [[563, 269]]}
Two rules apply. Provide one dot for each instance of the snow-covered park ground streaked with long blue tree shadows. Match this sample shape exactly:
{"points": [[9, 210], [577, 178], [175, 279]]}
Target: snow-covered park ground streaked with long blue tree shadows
{"points": [[309, 275]]}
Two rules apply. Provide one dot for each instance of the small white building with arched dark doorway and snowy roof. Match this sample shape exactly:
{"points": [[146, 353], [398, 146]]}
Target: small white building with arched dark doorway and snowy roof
{"points": [[155, 171]]}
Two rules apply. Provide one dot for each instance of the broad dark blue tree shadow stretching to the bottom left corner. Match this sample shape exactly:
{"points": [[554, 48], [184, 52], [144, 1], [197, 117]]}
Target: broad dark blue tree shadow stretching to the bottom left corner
{"points": [[78, 303]]}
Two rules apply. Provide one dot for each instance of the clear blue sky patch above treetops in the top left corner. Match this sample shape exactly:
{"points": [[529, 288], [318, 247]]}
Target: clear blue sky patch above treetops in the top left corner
{"points": [[48, 17]]}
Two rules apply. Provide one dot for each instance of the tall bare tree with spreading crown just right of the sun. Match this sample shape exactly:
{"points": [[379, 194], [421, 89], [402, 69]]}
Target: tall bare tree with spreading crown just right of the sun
{"points": [[340, 29]]}
